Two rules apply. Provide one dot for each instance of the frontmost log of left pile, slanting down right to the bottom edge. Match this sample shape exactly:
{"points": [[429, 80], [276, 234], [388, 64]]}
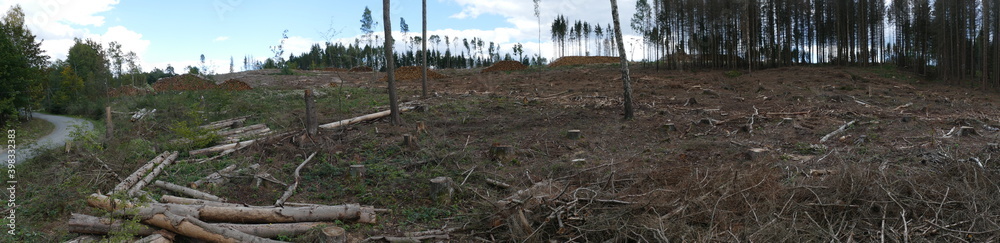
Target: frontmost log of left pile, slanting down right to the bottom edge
{"points": [[192, 227]]}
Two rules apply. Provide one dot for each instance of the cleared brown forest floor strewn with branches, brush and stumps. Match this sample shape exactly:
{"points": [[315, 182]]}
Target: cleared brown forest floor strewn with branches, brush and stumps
{"points": [[711, 155]]}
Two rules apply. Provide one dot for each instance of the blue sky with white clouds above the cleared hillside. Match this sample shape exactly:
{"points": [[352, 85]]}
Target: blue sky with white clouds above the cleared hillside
{"points": [[179, 32]]}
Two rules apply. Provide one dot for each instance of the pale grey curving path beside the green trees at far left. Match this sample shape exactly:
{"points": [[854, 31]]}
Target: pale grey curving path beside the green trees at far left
{"points": [[58, 137]]}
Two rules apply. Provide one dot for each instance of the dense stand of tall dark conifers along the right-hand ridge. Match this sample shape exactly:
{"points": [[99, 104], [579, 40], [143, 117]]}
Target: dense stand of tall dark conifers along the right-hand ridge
{"points": [[955, 40]]}
